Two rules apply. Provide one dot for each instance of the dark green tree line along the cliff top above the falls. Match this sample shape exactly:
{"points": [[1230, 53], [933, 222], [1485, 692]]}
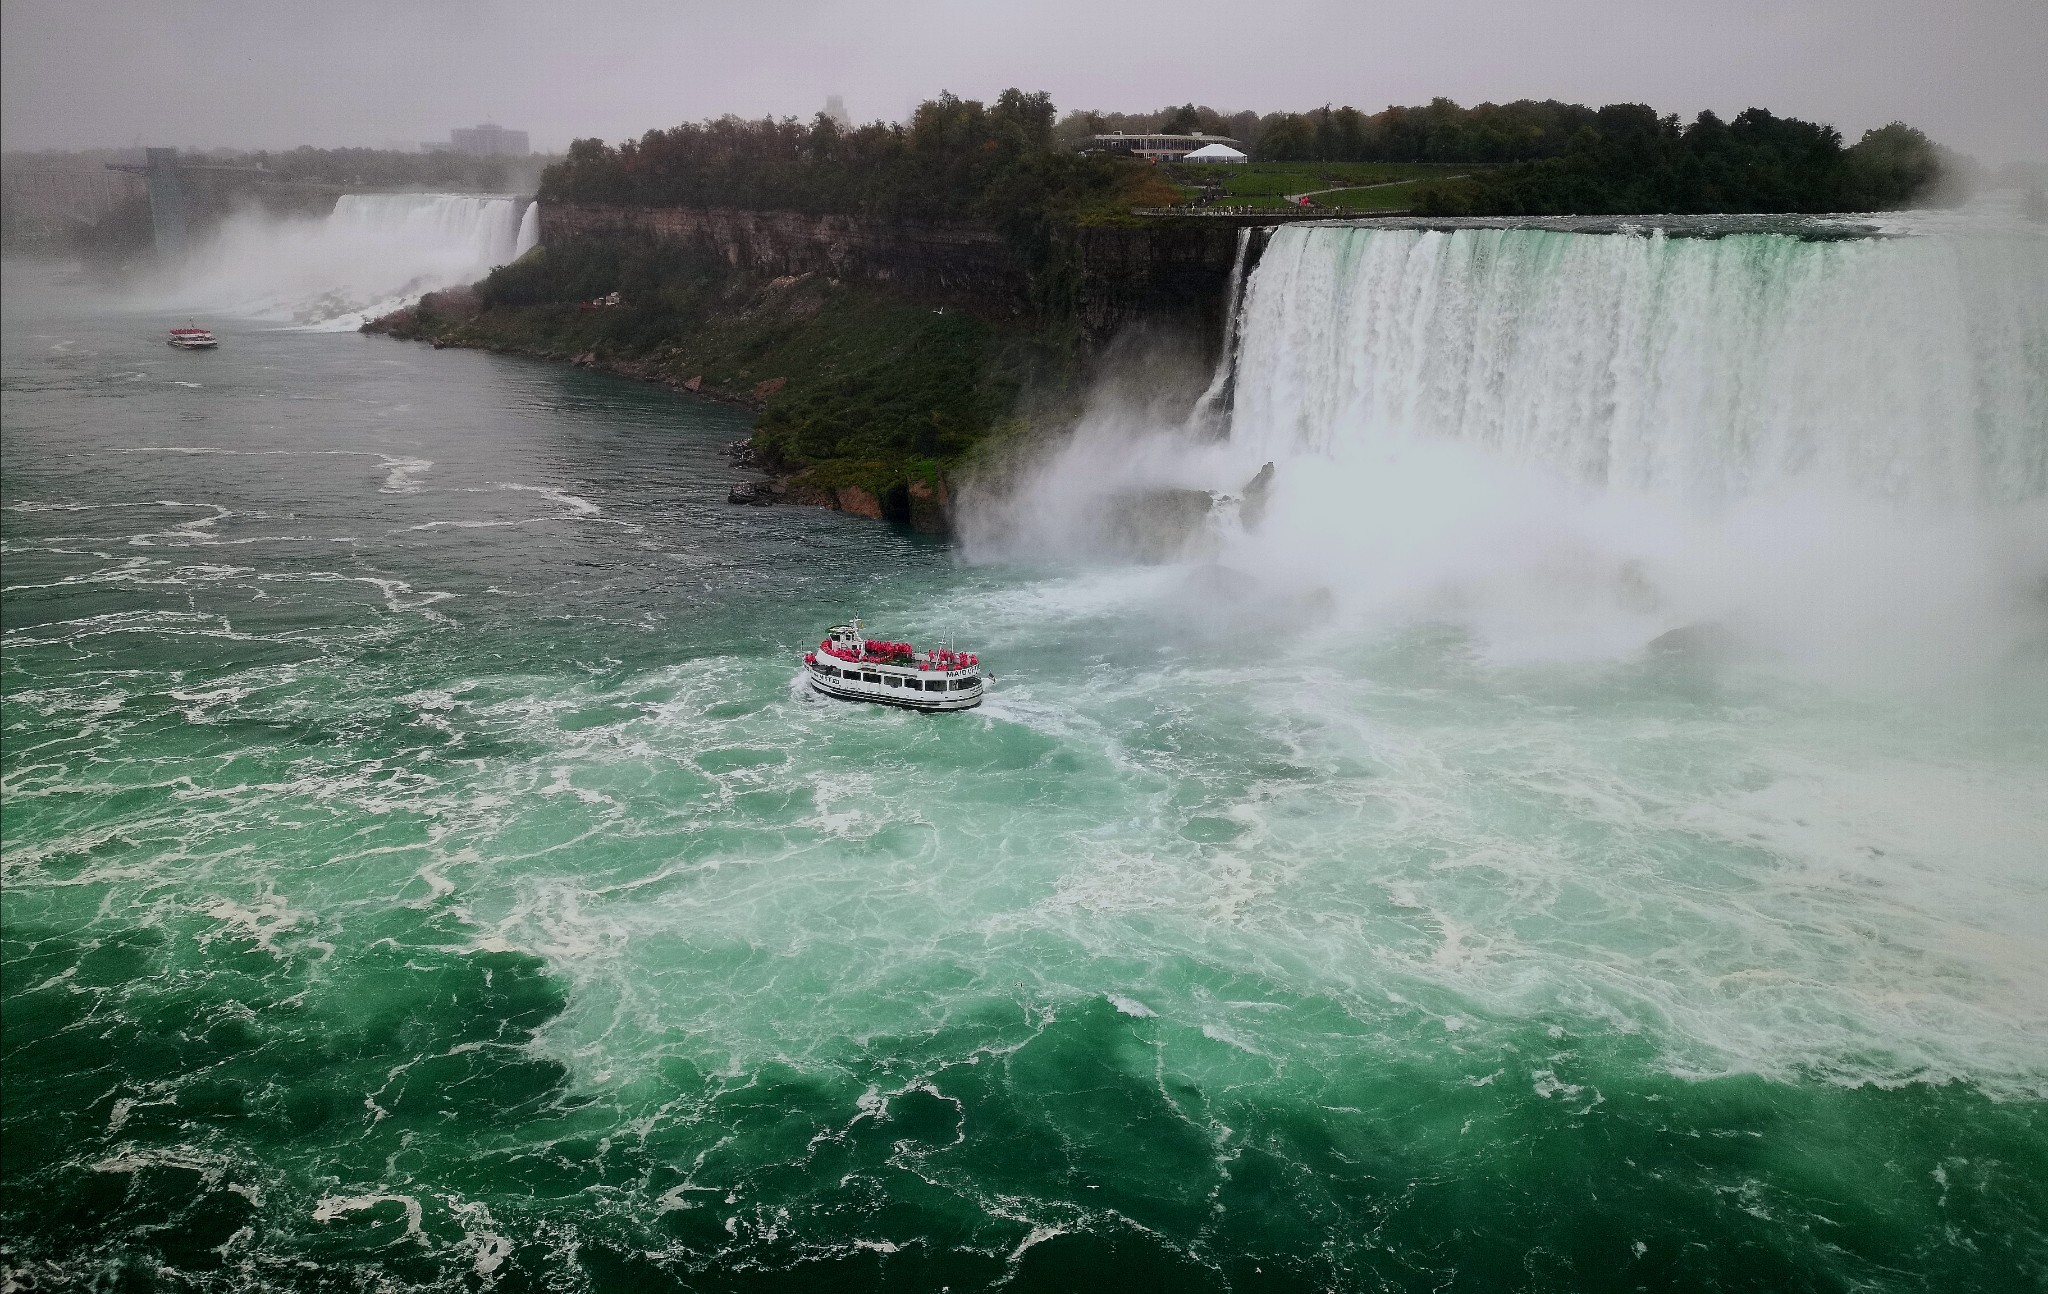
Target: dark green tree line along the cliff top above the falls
{"points": [[1017, 167]]}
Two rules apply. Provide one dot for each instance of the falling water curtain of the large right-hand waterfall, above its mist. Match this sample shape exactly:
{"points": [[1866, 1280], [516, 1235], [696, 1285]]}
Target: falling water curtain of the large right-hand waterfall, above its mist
{"points": [[1687, 368]]}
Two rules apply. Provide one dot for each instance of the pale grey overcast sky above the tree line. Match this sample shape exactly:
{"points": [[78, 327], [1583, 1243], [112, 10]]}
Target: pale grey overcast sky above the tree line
{"points": [[370, 73]]}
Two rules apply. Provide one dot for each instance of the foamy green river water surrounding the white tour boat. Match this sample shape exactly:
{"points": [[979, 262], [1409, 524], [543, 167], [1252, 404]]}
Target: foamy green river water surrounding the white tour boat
{"points": [[425, 873]]}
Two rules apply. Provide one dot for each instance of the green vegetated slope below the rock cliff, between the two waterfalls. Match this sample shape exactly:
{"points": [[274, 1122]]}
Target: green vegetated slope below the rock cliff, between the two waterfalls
{"points": [[857, 386]]}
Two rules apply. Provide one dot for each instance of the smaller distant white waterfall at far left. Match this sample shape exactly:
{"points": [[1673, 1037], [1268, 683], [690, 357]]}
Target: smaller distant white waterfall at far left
{"points": [[368, 257]]}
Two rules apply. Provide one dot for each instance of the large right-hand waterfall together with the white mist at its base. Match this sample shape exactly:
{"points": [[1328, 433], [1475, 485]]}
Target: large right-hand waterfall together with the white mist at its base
{"points": [[1834, 454]]}
